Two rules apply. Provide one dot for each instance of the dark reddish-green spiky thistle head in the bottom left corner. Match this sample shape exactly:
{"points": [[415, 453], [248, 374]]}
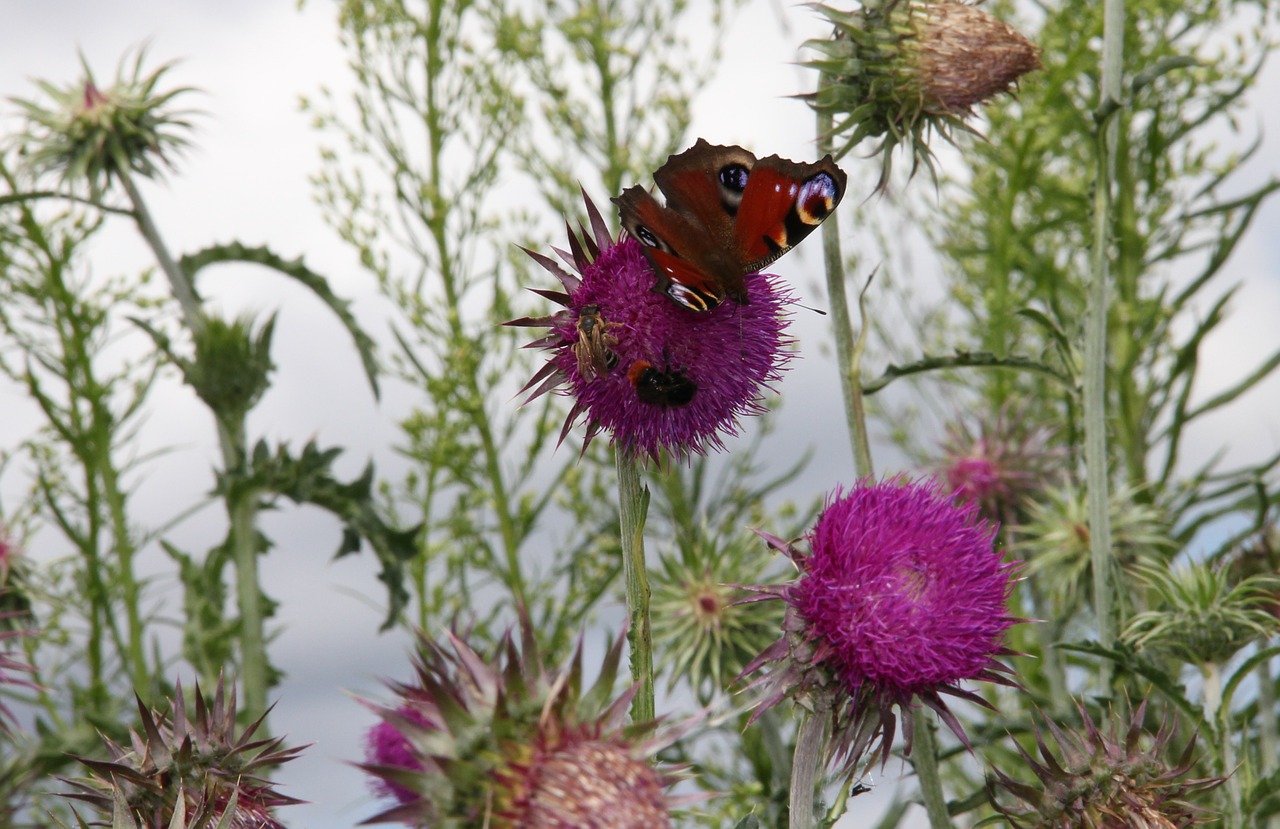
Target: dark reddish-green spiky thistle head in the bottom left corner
{"points": [[189, 771]]}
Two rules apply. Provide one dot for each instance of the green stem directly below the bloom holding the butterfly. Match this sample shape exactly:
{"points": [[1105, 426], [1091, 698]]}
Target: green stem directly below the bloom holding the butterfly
{"points": [[633, 510]]}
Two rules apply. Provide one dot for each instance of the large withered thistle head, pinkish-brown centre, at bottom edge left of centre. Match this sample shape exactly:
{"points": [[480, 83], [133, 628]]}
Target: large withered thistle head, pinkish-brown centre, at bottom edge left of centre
{"points": [[505, 744]]}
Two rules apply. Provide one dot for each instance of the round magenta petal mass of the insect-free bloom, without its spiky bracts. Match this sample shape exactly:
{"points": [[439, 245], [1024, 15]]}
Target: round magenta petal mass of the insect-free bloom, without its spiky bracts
{"points": [[903, 589]]}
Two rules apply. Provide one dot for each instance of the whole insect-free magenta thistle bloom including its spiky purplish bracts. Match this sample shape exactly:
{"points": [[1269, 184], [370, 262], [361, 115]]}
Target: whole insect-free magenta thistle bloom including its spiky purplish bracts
{"points": [[900, 599]]}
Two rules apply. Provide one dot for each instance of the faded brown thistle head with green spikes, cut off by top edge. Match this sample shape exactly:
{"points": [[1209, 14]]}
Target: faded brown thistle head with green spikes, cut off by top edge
{"points": [[900, 70]]}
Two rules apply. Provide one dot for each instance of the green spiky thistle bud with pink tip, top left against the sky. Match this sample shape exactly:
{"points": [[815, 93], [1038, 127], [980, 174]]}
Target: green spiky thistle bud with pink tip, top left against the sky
{"points": [[93, 136]]}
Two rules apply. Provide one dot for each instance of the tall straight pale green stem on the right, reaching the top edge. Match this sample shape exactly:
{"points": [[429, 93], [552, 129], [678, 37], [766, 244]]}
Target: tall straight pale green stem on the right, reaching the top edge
{"points": [[1096, 333]]}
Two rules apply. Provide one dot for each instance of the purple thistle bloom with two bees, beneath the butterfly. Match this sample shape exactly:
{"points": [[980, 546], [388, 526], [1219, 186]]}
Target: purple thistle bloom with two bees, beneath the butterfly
{"points": [[655, 375]]}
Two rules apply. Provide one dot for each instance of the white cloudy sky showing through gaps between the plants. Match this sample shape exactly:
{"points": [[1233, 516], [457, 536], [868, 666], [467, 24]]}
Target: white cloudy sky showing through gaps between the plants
{"points": [[248, 181]]}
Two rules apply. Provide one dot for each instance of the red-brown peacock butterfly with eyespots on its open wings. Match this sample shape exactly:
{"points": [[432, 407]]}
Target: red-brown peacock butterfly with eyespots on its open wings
{"points": [[728, 214]]}
